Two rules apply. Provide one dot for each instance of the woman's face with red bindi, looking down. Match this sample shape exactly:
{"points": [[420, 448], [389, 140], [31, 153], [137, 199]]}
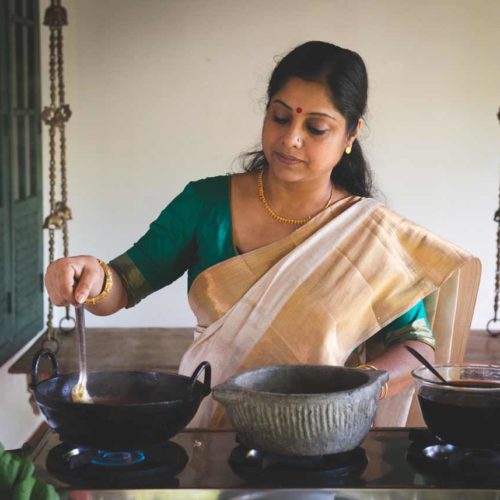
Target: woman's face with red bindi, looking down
{"points": [[304, 136]]}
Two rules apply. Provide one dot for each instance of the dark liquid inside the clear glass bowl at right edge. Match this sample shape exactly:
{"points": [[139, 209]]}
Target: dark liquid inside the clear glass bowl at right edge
{"points": [[469, 419]]}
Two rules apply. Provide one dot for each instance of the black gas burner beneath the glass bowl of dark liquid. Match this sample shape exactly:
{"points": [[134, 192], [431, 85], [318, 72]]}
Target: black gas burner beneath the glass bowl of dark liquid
{"points": [[434, 458]]}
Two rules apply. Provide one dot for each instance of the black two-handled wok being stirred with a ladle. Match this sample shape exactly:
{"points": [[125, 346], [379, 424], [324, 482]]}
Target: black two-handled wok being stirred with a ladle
{"points": [[132, 409]]}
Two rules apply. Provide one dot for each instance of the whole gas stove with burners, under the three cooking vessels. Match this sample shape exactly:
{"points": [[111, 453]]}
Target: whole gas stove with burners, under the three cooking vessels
{"points": [[388, 461]]}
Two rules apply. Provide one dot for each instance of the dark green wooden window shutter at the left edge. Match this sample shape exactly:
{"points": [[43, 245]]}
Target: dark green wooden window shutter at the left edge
{"points": [[22, 254]]}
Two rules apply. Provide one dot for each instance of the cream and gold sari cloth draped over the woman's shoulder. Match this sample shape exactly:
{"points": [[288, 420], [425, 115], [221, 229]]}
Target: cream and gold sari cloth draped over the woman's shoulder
{"points": [[317, 295]]}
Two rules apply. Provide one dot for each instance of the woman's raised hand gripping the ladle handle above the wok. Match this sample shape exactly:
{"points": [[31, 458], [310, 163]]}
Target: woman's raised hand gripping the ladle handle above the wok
{"points": [[71, 280]]}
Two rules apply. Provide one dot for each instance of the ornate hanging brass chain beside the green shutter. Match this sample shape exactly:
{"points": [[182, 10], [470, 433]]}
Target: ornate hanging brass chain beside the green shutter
{"points": [[55, 117]]}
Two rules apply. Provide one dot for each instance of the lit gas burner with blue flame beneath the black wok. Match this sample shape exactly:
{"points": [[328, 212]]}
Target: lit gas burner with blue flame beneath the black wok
{"points": [[155, 467]]}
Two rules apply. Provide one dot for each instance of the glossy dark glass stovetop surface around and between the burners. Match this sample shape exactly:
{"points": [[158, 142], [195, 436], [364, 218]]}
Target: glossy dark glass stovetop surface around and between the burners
{"points": [[208, 468]]}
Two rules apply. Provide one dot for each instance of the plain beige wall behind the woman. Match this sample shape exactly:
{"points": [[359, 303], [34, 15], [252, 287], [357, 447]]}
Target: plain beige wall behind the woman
{"points": [[164, 92]]}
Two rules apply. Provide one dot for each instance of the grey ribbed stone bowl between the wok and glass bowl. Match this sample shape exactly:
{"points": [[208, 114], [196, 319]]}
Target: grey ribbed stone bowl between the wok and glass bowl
{"points": [[302, 410]]}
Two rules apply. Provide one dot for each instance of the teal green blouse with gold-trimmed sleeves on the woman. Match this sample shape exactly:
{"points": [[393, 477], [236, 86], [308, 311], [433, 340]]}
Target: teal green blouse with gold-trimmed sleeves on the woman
{"points": [[193, 233]]}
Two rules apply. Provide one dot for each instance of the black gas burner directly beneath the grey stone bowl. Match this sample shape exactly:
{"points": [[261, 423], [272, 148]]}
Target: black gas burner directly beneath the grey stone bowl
{"points": [[324, 470]]}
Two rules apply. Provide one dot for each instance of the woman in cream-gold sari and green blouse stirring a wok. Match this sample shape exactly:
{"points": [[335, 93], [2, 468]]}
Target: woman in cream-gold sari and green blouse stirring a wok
{"points": [[291, 261]]}
